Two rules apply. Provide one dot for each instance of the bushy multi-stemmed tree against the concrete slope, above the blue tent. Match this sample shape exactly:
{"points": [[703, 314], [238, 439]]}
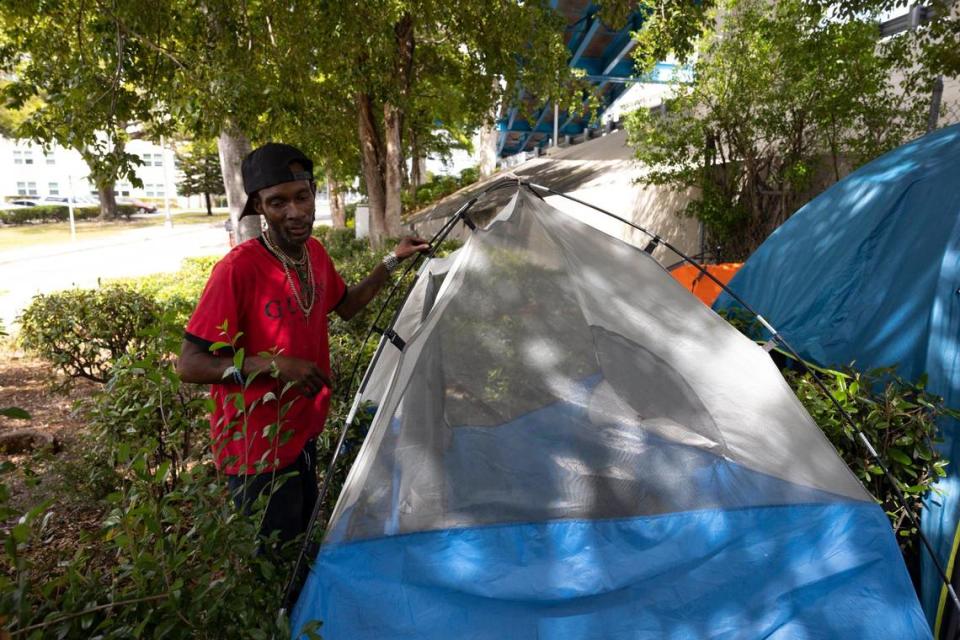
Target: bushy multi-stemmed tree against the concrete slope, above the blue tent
{"points": [[783, 100]]}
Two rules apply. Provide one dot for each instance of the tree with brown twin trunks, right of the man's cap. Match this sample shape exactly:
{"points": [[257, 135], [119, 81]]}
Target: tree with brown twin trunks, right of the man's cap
{"points": [[413, 64]]}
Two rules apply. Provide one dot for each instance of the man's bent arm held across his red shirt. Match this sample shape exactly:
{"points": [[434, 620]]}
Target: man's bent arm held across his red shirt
{"points": [[198, 365]]}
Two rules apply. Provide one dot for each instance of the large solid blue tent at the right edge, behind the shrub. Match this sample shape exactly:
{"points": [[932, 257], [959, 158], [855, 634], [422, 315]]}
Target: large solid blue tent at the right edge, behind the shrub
{"points": [[868, 272]]}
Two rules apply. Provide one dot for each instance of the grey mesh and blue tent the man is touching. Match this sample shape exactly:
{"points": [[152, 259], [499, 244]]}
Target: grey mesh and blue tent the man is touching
{"points": [[571, 445]]}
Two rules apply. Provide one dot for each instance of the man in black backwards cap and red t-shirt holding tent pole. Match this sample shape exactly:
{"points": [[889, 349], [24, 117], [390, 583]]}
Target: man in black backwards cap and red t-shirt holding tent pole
{"points": [[270, 297]]}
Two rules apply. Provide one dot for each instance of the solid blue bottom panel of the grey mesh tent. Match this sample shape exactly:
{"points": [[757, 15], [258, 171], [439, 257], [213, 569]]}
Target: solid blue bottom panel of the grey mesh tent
{"points": [[798, 571]]}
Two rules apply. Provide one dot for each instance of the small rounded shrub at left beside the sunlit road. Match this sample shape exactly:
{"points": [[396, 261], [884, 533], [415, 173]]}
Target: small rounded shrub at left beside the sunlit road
{"points": [[83, 332]]}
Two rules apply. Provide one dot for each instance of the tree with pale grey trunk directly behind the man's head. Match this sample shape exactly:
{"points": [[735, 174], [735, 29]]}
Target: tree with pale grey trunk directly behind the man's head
{"points": [[246, 73]]}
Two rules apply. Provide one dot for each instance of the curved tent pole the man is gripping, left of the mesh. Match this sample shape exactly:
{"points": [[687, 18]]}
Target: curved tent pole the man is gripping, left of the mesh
{"points": [[299, 570]]}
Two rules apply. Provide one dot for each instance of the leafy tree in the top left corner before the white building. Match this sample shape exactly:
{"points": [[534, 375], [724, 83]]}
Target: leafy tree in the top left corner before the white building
{"points": [[83, 83]]}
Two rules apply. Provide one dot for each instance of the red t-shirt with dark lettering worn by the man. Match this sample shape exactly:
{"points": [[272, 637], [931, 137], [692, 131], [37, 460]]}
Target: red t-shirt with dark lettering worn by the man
{"points": [[249, 291]]}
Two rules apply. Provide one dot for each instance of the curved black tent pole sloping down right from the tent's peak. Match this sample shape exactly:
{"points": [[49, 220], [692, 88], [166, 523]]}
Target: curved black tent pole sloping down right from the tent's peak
{"points": [[775, 335]]}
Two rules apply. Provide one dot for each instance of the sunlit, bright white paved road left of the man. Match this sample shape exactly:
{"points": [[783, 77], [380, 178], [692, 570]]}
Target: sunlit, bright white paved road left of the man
{"points": [[42, 269]]}
